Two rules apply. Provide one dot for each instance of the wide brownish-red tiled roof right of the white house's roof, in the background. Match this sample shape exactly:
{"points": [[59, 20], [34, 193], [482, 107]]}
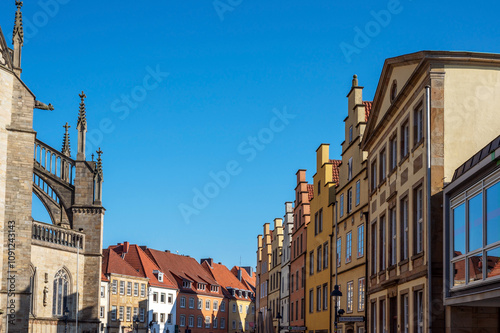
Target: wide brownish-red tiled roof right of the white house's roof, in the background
{"points": [[178, 267]]}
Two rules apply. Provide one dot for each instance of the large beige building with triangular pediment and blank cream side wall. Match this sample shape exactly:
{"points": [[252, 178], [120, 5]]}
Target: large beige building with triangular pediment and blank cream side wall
{"points": [[405, 287]]}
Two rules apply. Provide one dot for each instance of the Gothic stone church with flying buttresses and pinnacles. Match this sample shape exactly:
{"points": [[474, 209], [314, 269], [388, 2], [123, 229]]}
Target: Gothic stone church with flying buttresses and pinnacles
{"points": [[51, 270]]}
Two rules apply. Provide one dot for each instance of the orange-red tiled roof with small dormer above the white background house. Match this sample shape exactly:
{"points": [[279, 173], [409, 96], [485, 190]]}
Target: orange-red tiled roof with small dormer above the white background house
{"points": [[138, 259]]}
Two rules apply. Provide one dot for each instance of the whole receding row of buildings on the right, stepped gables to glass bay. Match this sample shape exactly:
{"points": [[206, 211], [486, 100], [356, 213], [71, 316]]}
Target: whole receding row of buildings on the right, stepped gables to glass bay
{"points": [[402, 232]]}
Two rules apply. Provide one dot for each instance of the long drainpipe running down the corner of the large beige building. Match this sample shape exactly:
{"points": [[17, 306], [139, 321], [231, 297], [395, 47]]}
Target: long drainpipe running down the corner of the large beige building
{"points": [[429, 256]]}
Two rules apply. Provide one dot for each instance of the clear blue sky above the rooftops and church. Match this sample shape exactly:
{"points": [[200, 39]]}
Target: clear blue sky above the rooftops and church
{"points": [[227, 71]]}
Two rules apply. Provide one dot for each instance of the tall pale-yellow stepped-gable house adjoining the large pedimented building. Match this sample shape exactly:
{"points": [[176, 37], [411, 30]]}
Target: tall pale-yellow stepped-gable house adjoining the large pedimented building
{"points": [[352, 207]]}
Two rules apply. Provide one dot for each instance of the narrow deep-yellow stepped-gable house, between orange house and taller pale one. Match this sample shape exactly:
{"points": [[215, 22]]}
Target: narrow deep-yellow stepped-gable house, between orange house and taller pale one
{"points": [[319, 242]]}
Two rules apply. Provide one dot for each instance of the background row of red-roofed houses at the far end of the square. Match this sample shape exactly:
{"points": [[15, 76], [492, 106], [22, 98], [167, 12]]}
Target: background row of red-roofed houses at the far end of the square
{"points": [[146, 290]]}
